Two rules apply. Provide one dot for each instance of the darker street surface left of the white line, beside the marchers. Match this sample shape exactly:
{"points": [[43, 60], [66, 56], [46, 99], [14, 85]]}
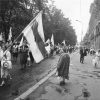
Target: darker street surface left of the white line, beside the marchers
{"points": [[22, 80]]}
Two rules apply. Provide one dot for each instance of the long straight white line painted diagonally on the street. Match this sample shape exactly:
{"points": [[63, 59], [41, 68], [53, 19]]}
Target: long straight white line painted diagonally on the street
{"points": [[33, 88]]}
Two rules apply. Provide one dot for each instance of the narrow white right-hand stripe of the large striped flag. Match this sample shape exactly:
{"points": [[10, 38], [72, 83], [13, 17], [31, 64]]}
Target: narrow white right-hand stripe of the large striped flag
{"points": [[40, 26]]}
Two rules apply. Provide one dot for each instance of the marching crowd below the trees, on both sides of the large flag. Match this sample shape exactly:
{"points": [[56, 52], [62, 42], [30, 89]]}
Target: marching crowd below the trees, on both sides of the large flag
{"points": [[9, 55]]}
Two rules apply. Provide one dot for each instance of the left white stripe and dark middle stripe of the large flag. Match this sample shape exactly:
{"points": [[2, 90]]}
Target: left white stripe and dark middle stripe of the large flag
{"points": [[34, 39]]}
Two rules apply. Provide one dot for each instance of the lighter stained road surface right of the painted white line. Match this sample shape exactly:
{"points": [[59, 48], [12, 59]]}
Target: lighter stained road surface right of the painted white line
{"points": [[83, 84]]}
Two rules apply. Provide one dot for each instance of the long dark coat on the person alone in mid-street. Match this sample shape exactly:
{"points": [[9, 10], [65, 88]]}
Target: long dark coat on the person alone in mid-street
{"points": [[63, 65]]}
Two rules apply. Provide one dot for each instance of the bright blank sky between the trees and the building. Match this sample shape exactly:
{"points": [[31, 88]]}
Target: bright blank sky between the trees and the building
{"points": [[78, 11]]}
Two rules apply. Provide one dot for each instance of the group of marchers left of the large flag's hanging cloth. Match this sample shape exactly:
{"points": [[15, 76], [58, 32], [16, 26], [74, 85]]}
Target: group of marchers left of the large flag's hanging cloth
{"points": [[9, 55]]}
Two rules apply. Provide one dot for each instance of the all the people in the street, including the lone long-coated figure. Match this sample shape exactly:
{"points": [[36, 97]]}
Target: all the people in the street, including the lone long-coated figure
{"points": [[10, 54]]}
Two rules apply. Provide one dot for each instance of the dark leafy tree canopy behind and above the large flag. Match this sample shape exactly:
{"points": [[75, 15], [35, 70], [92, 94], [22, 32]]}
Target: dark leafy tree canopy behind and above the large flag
{"points": [[18, 13]]}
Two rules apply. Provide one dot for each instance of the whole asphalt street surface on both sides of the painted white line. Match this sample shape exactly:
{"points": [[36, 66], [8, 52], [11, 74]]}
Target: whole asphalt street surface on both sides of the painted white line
{"points": [[83, 83]]}
